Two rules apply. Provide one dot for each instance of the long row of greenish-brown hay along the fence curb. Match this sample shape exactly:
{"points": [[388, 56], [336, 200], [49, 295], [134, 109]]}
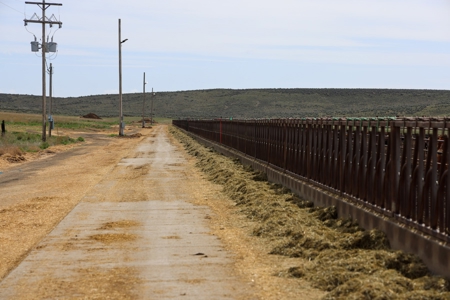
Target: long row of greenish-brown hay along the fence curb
{"points": [[341, 257]]}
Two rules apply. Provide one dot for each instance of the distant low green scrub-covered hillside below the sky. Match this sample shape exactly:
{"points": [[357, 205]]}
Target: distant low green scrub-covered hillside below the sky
{"points": [[249, 103]]}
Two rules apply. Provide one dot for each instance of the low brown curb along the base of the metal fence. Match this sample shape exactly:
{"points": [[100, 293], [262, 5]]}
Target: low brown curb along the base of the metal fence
{"points": [[413, 238]]}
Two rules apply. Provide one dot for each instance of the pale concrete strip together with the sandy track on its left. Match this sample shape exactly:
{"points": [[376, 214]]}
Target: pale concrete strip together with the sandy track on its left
{"points": [[131, 232]]}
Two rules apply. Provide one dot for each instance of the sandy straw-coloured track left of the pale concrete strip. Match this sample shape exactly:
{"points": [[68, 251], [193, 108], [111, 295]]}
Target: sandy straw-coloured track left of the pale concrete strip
{"points": [[37, 195]]}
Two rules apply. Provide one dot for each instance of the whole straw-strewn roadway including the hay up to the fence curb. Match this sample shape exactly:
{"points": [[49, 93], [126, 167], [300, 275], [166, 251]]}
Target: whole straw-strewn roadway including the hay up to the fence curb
{"points": [[162, 217]]}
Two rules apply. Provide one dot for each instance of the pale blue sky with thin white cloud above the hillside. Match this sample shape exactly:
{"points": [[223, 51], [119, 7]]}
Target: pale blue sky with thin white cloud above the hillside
{"points": [[203, 44]]}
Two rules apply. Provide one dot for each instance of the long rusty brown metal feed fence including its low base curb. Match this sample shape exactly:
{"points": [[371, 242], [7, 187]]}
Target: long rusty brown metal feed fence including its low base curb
{"points": [[390, 174]]}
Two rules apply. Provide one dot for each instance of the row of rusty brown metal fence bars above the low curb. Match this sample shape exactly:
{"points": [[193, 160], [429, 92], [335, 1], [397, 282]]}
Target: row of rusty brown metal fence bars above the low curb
{"points": [[398, 167]]}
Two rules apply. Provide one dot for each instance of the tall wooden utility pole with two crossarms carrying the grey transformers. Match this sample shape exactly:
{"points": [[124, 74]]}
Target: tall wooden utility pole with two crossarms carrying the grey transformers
{"points": [[43, 21]]}
